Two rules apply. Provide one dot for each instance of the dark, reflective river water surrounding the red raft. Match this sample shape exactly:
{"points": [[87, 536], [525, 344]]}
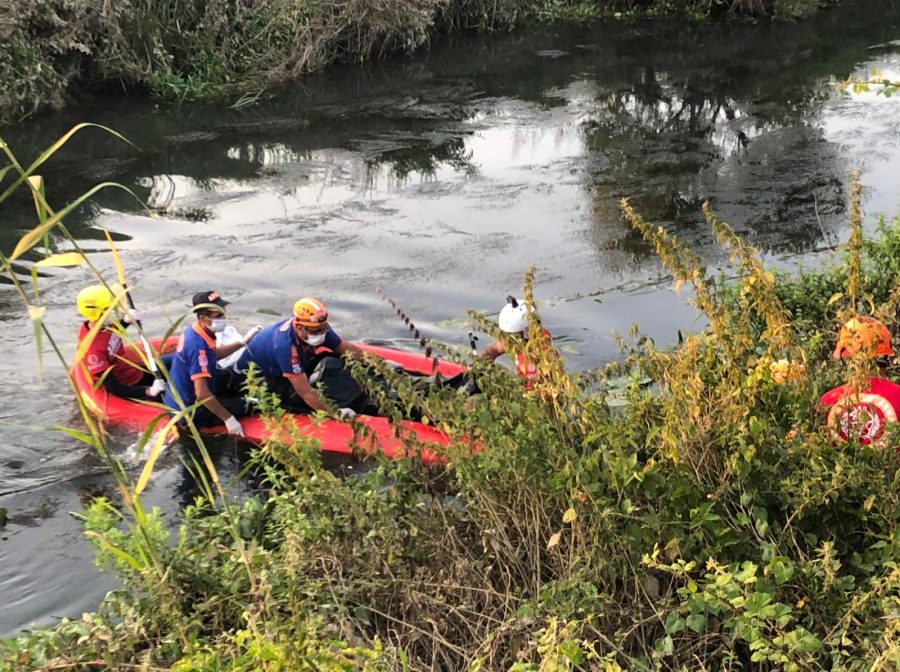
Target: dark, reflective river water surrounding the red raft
{"points": [[440, 178]]}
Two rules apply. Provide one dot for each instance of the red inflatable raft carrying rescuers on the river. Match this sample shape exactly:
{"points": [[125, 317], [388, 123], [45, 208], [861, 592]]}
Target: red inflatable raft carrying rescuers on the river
{"points": [[335, 436]]}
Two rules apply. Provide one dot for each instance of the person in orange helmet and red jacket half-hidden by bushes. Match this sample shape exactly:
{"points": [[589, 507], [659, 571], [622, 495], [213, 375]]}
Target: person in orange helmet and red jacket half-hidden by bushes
{"points": [[865, 413]]}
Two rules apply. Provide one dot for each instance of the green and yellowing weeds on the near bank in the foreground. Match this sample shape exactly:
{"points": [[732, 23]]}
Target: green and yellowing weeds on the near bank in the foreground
{"points": [[711, 523]]}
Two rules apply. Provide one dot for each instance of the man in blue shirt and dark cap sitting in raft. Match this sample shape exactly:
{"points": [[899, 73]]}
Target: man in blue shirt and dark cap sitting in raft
{"points": [[193, 371]]}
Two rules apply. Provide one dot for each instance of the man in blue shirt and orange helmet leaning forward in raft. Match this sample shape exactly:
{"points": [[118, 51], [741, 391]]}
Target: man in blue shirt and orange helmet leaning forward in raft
{"points": [[285, 352]]}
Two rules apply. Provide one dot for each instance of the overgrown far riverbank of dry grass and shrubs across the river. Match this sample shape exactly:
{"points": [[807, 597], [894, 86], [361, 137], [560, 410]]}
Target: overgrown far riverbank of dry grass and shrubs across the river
{"points": [[58, 50]]}
